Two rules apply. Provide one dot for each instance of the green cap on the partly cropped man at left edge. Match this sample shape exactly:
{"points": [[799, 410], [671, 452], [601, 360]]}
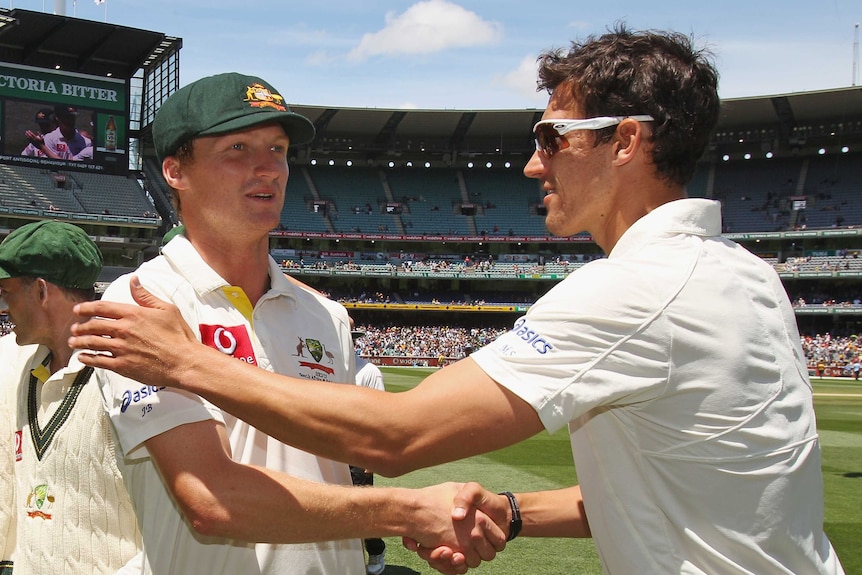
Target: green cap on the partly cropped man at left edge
{"points": [[58, 252]]}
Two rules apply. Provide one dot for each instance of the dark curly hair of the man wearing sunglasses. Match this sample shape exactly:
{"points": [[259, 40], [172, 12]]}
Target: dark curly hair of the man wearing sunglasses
{"points": [[658, 73]]}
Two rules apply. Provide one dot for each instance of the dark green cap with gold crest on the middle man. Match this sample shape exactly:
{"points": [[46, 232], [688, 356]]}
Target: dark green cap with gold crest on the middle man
{"points": [[221, 104]]}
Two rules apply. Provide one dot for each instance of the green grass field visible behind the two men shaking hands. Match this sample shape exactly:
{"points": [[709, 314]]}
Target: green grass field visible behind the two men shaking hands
{"points": [[545, 462]]}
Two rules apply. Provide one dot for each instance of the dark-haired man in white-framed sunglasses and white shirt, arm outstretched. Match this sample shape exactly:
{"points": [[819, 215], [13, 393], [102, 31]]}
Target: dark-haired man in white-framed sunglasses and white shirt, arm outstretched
{"points": [[675, 362]]}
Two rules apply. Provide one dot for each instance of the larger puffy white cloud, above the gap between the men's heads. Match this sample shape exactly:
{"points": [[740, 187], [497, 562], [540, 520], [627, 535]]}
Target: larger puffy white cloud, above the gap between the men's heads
{"points": [[427, 27]]}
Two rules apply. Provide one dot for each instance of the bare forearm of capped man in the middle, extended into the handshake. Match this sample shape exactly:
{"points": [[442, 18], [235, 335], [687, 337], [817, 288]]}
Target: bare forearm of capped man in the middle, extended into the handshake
{"points": [[260, 505]]}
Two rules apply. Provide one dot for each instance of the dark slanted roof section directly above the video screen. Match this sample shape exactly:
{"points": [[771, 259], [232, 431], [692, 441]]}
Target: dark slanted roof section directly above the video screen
{"points": [[75, 45]]}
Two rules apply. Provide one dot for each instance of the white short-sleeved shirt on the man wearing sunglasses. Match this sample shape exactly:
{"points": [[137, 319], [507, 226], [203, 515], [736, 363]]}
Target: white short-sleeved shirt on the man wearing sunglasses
{"points": [[677, 366]]}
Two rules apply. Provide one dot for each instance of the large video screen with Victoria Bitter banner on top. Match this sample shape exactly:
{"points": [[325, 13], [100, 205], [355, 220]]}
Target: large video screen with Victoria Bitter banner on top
{"points": [[62, 120]]}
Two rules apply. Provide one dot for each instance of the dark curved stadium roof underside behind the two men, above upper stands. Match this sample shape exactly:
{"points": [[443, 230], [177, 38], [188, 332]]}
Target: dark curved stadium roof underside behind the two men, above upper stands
{"points": [[796, 123]]}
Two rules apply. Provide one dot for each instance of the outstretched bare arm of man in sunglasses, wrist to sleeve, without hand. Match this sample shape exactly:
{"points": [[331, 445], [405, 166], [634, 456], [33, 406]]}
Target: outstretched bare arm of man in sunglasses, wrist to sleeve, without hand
{"points": [[444, 419]]}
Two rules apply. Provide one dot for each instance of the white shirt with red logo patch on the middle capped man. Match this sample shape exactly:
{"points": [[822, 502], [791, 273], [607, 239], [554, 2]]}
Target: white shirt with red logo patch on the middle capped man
{"points": [[290, 331]]}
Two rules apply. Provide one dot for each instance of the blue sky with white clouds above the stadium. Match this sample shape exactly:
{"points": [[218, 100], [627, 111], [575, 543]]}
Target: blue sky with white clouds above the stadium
{"points": [[472, 54]]}
